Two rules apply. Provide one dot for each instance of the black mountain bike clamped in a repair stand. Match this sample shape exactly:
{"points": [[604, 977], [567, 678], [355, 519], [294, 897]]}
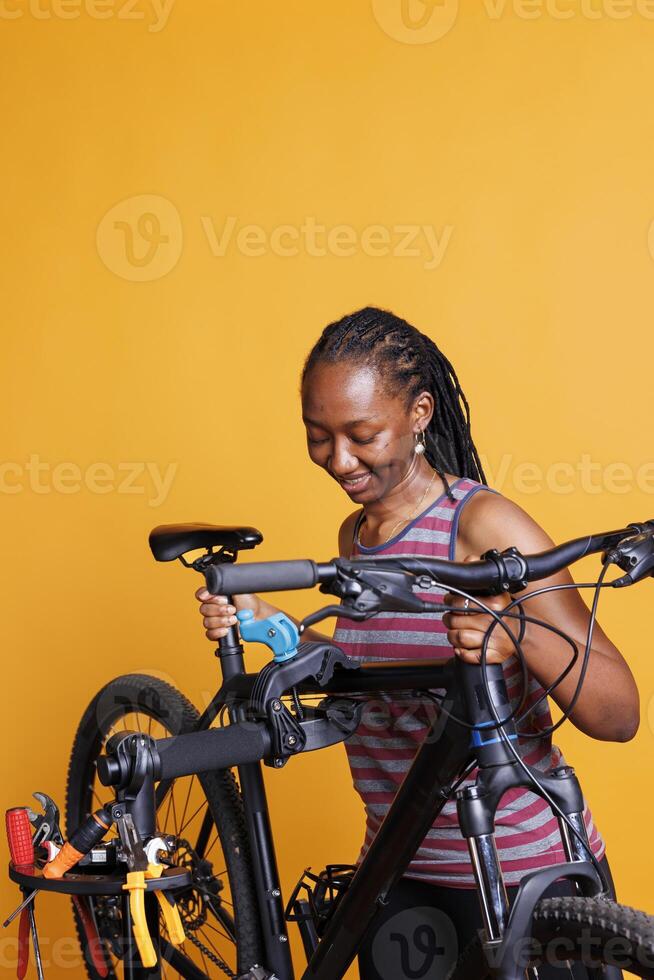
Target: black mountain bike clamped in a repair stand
{"points": [[233, 916]]}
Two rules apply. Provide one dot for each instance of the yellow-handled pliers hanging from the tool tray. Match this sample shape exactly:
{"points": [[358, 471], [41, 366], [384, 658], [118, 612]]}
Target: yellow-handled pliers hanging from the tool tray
{"points": [[140, 869]]}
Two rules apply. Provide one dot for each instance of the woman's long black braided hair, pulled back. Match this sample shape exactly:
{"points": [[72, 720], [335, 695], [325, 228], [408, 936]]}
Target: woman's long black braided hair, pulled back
{"points": [[407, 362]]}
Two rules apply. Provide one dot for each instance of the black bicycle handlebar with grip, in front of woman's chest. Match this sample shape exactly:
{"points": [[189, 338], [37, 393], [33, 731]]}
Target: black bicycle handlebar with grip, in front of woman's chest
{"points": [[631, 548]]}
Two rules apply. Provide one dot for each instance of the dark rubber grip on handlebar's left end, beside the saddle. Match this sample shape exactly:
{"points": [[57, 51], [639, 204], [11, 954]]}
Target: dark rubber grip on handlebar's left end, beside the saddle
{"points": [[269, 576]]}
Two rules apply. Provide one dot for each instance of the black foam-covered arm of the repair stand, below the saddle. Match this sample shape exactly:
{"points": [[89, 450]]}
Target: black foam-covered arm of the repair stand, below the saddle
{"points": [[215, 748]]}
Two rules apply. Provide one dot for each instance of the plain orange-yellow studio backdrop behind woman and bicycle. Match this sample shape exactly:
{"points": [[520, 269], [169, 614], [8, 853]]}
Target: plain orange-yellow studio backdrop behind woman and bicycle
{"points": [[525, 131]]}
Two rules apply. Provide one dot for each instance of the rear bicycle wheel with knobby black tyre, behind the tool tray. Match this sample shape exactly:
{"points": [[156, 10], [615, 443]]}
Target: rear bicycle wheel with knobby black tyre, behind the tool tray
{"points": [[204, 813]]}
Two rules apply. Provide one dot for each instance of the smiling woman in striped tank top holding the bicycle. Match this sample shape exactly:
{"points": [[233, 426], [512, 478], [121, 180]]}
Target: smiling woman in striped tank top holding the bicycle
{"points": [[387, 419]]}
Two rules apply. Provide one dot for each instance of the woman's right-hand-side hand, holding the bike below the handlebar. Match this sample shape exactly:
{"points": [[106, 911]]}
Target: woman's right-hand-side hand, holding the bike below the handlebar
{"points": [[466, 631]]}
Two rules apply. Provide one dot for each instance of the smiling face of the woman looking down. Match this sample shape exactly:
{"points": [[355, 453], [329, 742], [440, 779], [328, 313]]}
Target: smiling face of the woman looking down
{"points": [[363, 437]]}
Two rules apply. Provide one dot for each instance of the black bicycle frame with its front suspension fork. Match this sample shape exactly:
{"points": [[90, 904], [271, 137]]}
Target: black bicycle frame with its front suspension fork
{"points": [[448, 749]]}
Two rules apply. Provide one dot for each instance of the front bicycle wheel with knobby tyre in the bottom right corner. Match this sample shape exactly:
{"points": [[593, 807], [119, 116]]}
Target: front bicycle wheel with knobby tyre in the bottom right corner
{"points": [[573, 932]]}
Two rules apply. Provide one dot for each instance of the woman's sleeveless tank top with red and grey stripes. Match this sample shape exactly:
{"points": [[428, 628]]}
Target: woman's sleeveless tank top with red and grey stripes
{"points": [[394, 724]]}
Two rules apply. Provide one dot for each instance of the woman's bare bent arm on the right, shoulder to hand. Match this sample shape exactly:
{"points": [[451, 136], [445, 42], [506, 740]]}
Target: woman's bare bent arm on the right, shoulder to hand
{"points": [[608, 705]]}
